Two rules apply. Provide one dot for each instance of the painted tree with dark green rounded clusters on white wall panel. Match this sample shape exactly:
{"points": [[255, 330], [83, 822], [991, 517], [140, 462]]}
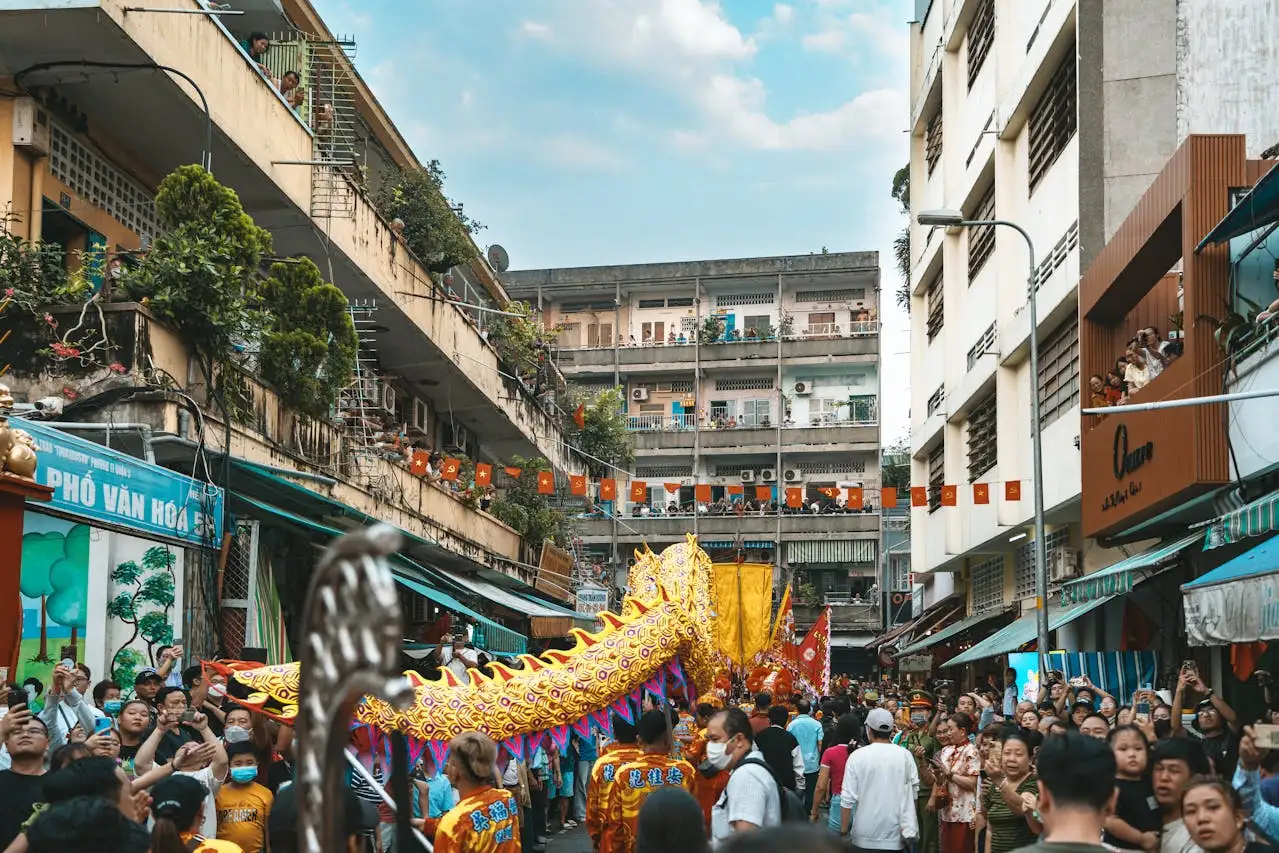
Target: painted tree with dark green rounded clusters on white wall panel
{"points": [[145, 603]]}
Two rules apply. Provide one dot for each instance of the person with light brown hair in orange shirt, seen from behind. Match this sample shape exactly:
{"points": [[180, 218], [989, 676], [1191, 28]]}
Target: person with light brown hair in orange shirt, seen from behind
{"points": [[487, 819]]}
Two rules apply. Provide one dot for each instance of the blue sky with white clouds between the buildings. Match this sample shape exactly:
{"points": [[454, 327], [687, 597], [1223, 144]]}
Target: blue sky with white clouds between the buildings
{"points": [[592, 132]]}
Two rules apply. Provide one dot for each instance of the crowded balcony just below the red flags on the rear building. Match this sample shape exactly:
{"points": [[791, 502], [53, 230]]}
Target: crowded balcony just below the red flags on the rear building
{"points": [[668, 529]]}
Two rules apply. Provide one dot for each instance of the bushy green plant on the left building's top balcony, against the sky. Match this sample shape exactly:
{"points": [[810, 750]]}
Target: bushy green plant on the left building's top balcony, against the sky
{"points": [[437, 233]]}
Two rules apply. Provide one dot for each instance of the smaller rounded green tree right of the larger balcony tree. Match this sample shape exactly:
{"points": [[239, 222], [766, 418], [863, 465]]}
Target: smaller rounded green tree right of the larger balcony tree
{"points": [[309, 348]]}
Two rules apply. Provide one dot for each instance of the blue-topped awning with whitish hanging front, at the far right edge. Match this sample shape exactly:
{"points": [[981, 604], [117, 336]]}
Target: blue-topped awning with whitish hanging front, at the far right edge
{"points": [[1234, 603]]}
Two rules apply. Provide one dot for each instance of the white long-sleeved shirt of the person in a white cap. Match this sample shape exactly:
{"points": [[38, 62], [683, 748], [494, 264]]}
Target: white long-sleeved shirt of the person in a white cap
{"points": [[882, 785]]}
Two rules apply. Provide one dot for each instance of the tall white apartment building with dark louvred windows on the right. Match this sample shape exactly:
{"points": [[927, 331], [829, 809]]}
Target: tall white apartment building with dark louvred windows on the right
{"points": [[1056, 116]]}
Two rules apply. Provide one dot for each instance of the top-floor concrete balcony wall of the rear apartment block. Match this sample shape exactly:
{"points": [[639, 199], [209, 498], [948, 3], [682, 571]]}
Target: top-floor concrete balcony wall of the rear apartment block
{"points": [[666, 359]]}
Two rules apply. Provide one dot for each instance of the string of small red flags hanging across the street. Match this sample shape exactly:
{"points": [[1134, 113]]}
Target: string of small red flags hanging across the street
{"points": [[795, 496]]}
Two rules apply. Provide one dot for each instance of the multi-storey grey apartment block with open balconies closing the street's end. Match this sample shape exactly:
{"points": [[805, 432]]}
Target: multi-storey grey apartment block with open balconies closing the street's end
{"points": [[751, 377]]}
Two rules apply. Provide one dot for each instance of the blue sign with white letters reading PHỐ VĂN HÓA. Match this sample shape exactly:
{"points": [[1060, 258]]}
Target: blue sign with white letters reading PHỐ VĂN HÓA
{"points": [[98, 484]]}
